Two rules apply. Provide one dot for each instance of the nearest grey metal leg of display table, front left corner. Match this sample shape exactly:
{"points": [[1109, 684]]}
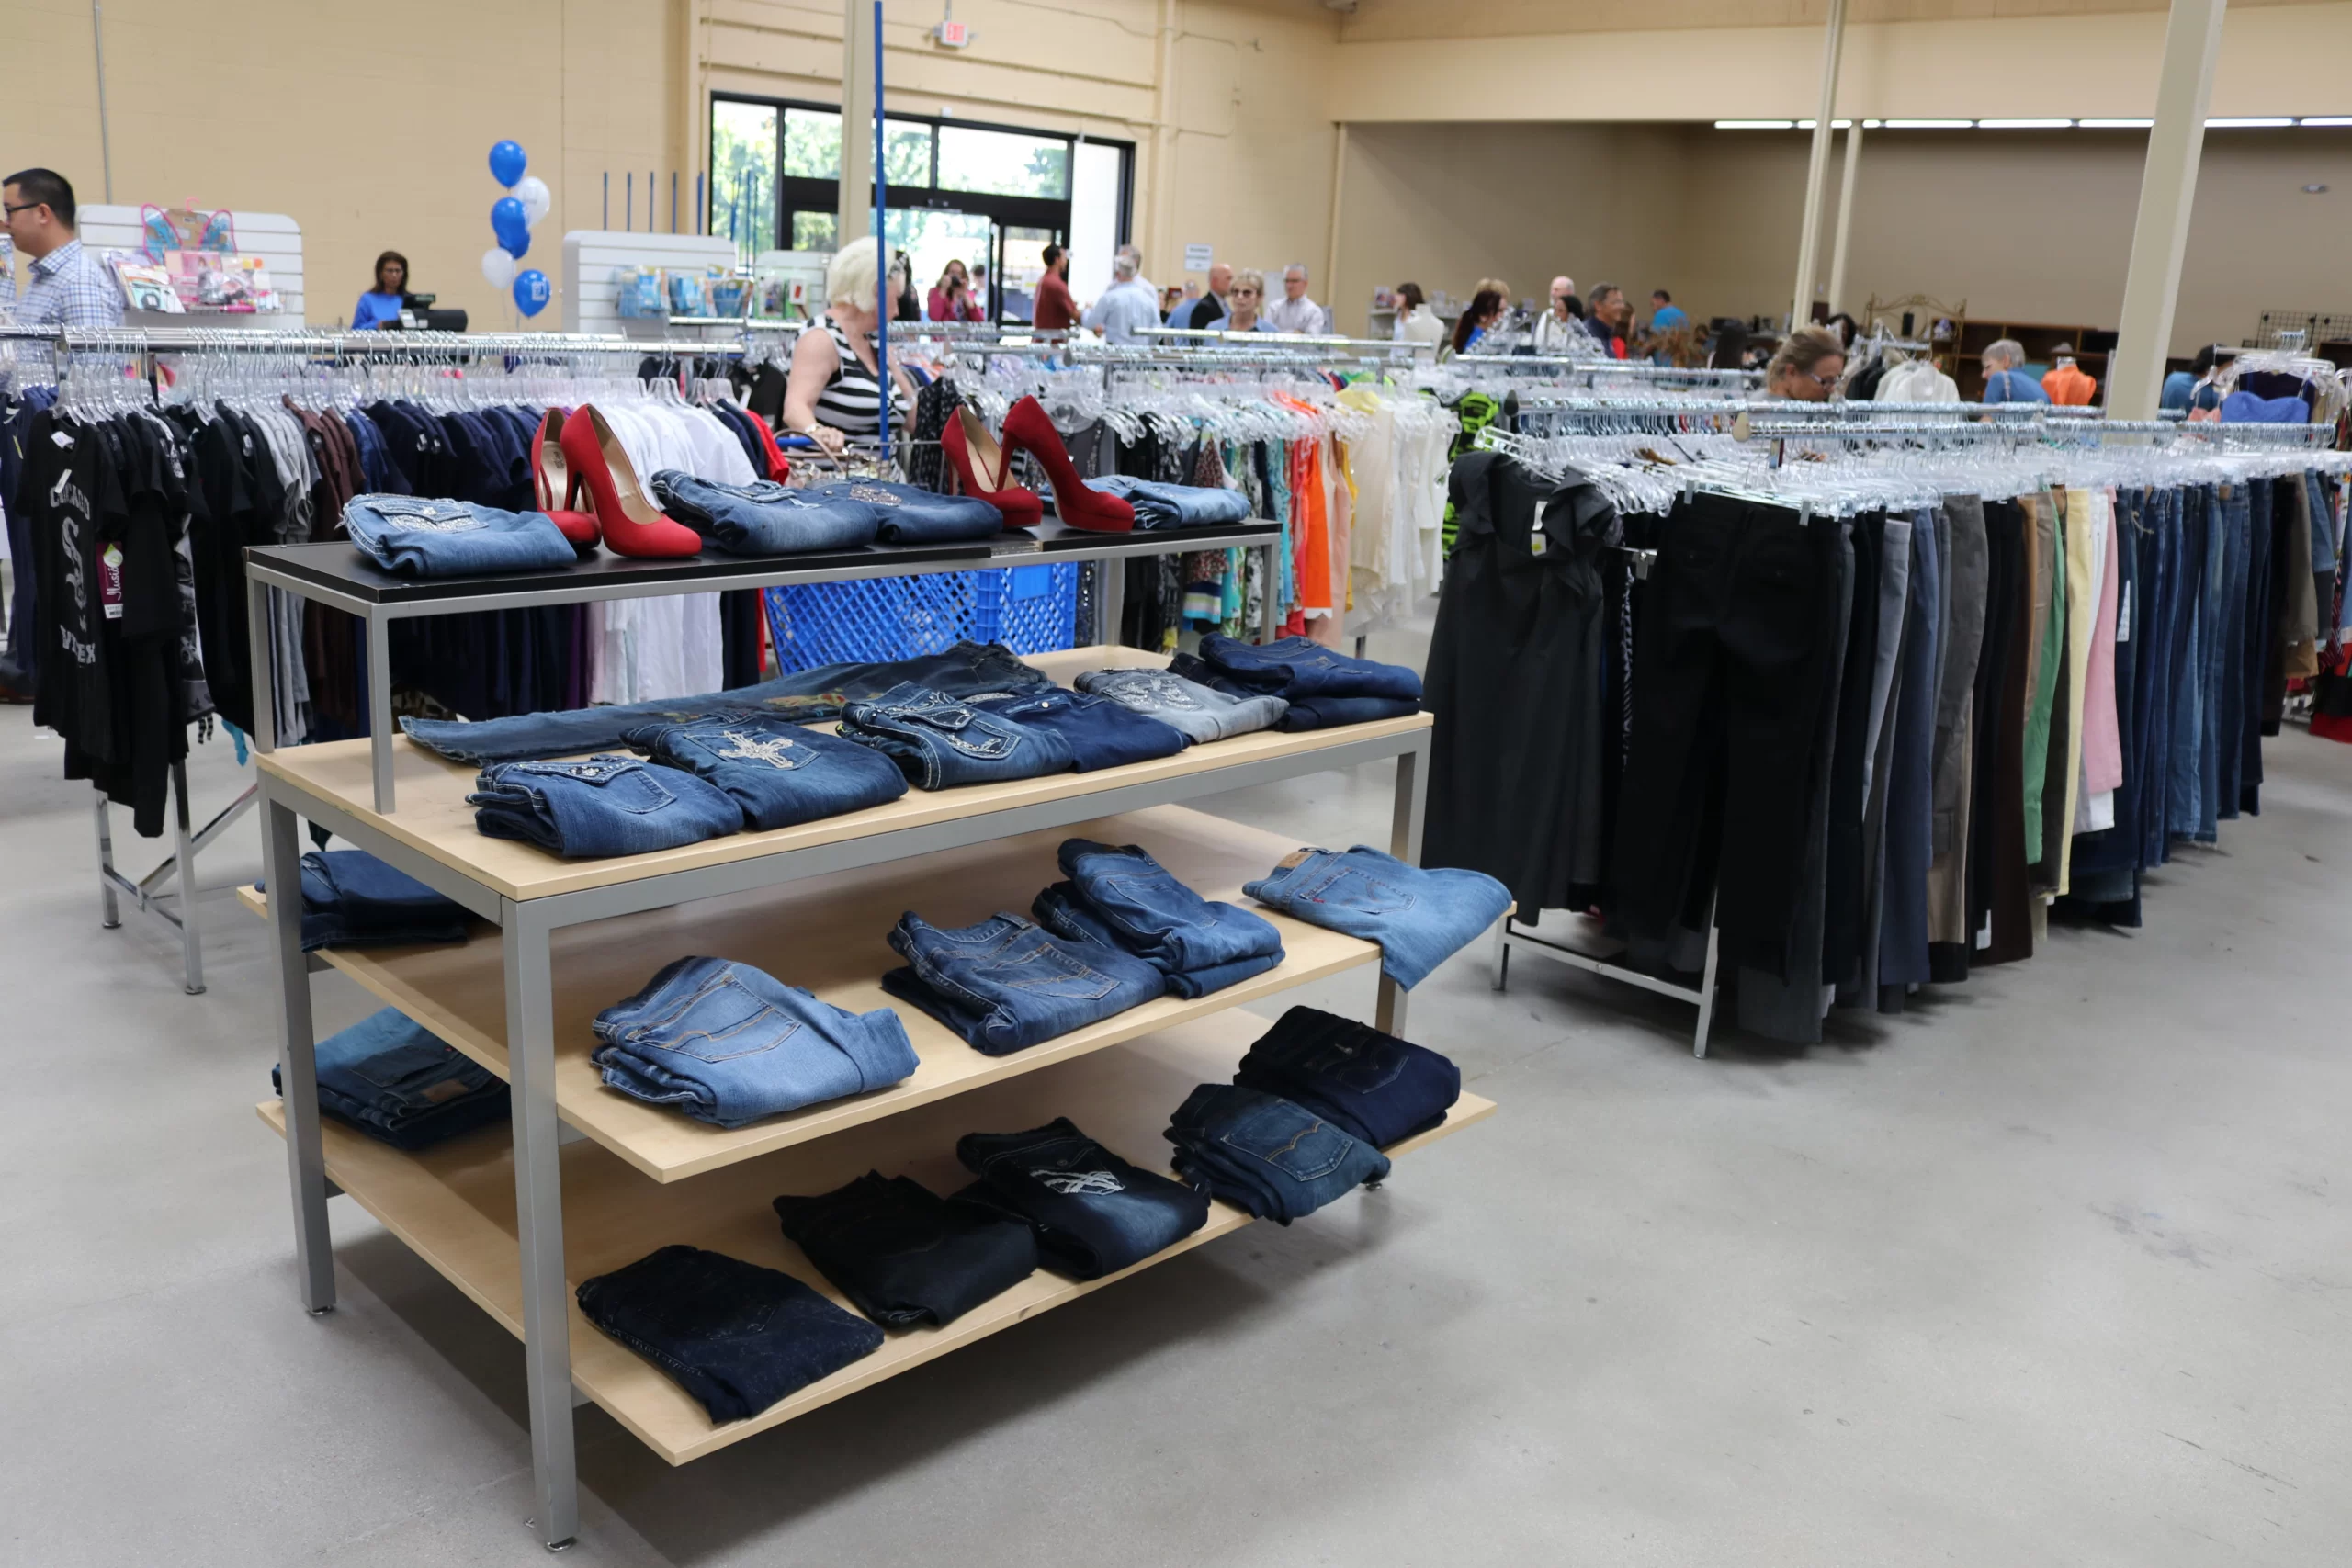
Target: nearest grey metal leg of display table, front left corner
{"points": [[540, 1219]]}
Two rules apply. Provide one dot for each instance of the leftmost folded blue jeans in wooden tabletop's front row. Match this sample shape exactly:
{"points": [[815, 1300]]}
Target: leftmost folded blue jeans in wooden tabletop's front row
{"points": [[601, 808]]}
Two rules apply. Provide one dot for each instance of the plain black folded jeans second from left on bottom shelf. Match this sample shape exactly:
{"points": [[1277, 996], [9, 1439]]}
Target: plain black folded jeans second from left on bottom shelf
{"points": [[904, 1254]]}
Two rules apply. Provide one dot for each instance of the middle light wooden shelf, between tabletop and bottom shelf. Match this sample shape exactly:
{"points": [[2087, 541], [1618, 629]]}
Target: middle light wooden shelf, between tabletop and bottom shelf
{"points": [[829, 934]]}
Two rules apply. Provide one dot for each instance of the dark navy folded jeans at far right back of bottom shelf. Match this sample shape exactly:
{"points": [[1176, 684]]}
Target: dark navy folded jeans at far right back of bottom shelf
{"points": [[1370, 1085]]}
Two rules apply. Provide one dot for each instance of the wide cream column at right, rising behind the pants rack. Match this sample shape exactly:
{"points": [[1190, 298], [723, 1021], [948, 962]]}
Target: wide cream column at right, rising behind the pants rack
{"points": [[2167, 196]]}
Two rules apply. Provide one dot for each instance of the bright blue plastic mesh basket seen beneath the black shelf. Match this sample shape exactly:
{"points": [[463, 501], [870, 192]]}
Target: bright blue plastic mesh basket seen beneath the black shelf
{"points": [[1031, 610]]}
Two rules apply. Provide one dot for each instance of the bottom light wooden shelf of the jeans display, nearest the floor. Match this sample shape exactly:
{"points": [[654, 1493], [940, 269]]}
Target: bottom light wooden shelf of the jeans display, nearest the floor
{"points": [[457, 1209]]}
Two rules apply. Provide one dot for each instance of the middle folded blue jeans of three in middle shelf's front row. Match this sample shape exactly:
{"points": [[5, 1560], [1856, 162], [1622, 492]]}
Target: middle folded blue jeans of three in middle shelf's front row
{"points": [[1005, 986]]}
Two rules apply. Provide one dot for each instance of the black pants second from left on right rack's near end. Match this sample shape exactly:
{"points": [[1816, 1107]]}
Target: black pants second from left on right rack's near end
{"points": [[1728, 699]]}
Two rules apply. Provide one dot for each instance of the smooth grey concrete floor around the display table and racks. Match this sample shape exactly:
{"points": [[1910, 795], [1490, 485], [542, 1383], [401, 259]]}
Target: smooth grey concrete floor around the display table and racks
{"points": [[2052, 1271]]}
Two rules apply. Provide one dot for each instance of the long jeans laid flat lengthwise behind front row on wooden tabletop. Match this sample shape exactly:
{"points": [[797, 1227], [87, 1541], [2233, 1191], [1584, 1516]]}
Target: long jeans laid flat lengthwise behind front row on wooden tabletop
{"points": [[970, 669]]}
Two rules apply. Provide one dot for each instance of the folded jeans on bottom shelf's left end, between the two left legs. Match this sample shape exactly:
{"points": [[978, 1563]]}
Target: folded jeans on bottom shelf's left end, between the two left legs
{"points": [[401, 1085]]}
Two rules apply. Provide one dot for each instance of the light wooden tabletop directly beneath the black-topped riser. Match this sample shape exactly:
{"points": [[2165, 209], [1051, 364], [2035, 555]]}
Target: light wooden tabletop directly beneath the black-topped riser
{"points": [[436, 822]]}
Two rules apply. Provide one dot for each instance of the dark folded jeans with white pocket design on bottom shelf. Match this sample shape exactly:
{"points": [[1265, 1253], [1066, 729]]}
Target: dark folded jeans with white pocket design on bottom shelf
{"points": [[1093, 1212]]}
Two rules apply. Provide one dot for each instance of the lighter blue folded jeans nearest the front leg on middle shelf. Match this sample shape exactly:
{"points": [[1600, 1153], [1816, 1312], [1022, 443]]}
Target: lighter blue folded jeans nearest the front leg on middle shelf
{"points": [[730, 1045]]}
